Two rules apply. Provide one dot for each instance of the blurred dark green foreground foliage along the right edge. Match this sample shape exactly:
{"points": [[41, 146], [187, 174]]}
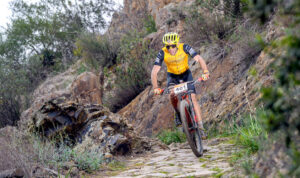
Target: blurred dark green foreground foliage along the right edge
{"points": [[281, 100]]}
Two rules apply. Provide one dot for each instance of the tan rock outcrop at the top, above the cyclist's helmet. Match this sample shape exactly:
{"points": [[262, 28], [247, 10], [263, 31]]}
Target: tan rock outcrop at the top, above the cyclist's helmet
{"points": [[134, 13]]}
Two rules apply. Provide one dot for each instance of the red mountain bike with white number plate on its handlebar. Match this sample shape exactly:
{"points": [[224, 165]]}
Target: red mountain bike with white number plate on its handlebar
{"points": [[188, 117]]}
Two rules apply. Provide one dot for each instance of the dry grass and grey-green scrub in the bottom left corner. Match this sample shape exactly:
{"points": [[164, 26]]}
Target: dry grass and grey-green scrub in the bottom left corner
{"points": [[39, 158]]}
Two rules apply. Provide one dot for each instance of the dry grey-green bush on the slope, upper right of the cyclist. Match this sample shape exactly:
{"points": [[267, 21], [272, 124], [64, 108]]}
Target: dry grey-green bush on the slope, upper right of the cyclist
{"points": [[222, 26]]}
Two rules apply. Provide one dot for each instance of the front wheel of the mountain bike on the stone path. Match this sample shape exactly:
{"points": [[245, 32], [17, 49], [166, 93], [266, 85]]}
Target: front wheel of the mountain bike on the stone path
{"points": [[193, 135]]}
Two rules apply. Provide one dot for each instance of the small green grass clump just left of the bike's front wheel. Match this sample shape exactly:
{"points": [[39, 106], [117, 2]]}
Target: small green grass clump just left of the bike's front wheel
{"points": [[171, 136]]}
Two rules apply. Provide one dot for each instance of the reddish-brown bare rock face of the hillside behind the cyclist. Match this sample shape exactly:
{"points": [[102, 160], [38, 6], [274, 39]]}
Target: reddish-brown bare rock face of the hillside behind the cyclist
{"points": [[231, 90]]}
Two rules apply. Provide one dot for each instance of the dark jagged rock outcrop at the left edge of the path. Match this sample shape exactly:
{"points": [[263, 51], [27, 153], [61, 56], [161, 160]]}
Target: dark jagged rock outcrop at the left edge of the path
{"points": [[88, 127]]}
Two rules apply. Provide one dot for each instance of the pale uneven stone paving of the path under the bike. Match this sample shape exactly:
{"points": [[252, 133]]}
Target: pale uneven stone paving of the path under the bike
{"points": [[179, 161]]}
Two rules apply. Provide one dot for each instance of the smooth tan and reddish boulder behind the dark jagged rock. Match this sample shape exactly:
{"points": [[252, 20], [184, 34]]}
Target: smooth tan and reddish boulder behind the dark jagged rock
{"points": [[83, 88]]}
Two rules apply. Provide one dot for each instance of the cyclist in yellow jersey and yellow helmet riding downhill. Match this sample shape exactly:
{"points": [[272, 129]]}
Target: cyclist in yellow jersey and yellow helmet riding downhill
{"points": [[175, 56]]}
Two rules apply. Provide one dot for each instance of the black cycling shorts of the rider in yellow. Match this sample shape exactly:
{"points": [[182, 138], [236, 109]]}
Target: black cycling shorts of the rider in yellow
{"points": [[173, 79]]}
